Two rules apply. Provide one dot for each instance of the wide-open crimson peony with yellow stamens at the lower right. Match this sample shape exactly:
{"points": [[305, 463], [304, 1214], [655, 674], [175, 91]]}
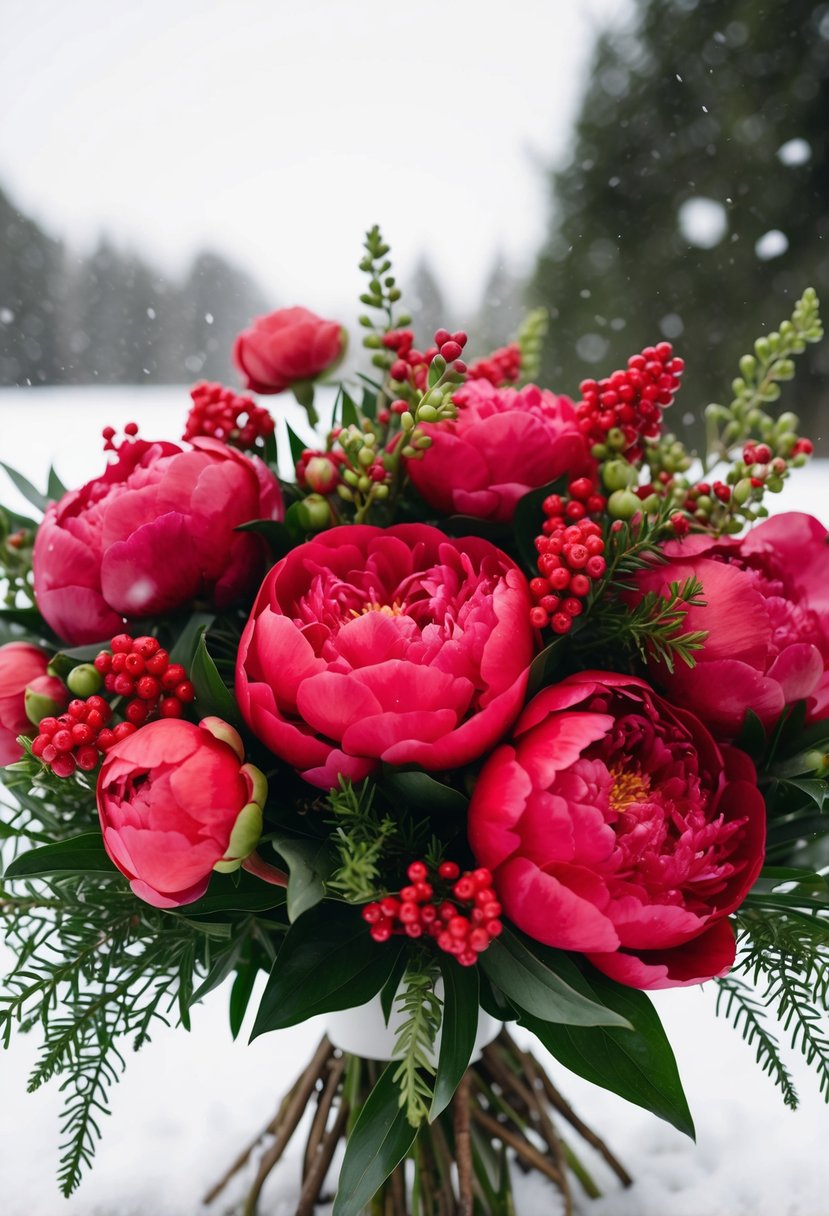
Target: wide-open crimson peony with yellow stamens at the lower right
{"points": [[617, 827]]}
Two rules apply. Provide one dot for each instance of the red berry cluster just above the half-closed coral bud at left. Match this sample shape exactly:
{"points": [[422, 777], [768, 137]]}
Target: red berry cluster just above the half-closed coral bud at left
{"points": [[139, 668]]}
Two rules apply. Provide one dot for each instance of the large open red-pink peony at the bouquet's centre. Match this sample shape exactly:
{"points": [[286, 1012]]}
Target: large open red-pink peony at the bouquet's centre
{"points": [[399, 645]]}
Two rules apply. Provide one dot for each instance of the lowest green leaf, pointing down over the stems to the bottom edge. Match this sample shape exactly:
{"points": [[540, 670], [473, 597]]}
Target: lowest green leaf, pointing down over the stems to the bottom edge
{"points": [[380, 1141]]}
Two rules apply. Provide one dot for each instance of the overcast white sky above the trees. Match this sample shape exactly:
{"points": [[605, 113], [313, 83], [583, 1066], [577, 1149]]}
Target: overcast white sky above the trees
{"points": [[278, 133]]}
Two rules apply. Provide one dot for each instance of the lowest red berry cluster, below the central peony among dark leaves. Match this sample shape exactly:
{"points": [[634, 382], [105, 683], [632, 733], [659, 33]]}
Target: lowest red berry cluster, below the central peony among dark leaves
{"points": [[420, 909]]}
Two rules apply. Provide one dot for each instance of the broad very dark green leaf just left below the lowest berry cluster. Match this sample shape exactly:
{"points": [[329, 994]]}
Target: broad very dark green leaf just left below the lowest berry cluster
{"points": [[329, 961]]}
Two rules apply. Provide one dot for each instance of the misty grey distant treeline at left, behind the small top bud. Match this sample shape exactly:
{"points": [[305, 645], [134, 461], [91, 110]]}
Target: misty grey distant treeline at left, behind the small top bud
{"points": [[112, 318]]}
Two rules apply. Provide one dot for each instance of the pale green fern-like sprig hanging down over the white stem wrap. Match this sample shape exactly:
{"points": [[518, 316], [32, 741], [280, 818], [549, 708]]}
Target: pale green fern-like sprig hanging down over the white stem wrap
{"points": [[416, 1042]]}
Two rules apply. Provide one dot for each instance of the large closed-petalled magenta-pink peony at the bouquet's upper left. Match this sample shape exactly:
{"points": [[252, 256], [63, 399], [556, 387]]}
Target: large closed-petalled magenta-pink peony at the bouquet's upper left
{"points": [[150, 536]]}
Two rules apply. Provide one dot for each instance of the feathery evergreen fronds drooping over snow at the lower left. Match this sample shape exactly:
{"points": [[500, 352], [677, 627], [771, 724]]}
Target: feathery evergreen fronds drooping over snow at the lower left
{"points": [[94, 967]]}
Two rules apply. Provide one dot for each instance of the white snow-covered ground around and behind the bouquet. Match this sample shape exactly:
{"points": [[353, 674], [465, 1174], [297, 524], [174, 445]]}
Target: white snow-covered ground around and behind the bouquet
{"points": [[188, 1105]]}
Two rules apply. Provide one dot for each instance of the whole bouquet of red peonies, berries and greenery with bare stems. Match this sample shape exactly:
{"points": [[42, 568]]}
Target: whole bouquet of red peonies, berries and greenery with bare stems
{"points": [[506, 708]]}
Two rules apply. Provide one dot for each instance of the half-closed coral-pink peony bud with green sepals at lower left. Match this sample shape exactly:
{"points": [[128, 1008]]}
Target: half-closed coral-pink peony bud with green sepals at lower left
{"points": [[177, 803]]}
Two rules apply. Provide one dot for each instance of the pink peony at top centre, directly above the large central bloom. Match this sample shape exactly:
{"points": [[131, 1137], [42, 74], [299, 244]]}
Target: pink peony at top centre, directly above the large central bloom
{"points": [[504, 443]]}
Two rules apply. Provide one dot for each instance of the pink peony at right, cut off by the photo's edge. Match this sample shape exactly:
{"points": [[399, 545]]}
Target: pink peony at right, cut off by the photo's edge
{"points": [[768, 620]]}
